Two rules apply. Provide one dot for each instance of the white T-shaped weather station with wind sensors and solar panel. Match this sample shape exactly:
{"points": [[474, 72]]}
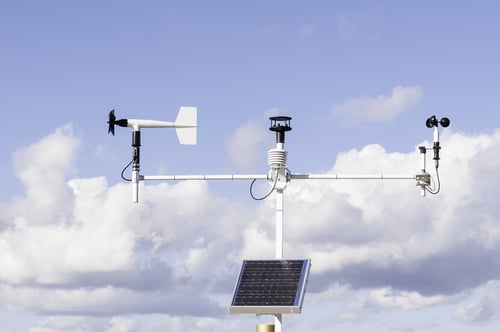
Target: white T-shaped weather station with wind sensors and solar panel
{"points": [[269, 287]]}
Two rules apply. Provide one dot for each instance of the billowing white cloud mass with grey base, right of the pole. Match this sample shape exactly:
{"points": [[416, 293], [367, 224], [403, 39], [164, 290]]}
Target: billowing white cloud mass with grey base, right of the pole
{"points": [[372, 234]]}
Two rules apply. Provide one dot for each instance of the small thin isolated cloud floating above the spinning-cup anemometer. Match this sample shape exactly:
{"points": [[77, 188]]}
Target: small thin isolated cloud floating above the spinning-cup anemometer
{"points": [[378, 109]]}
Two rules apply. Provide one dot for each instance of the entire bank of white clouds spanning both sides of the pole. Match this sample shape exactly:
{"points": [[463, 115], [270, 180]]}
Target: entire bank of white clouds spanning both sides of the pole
{"points": [[178, 252]]}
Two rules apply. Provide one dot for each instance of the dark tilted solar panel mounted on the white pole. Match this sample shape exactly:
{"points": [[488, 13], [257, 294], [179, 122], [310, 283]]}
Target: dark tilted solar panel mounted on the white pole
{"points": [[270, 286]]}
